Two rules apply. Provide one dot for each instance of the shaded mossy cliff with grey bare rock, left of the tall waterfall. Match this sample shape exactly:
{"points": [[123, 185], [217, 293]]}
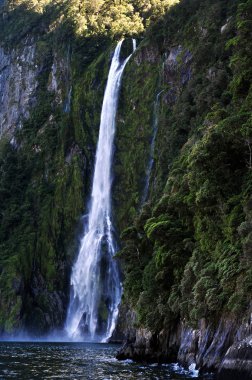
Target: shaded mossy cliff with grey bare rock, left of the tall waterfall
{"points": [[46, 161]]}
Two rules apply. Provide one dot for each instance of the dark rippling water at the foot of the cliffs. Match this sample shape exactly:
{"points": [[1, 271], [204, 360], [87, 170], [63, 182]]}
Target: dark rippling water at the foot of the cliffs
{"points": [[78, 361]]}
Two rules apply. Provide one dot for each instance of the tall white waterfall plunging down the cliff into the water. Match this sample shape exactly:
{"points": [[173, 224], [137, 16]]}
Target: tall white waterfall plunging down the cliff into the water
{"points": [[95, 281]]}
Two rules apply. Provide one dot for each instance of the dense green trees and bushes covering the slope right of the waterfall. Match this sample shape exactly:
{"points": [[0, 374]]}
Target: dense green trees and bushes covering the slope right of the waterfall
{"points": [[188, 252]]}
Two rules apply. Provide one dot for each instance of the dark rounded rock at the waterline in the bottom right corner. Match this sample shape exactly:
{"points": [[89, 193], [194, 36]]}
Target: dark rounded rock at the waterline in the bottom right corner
{"points": [[237, 363]]}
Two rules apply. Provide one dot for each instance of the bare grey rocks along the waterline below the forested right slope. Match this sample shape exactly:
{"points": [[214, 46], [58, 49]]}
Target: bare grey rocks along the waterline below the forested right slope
{"points": [[224, 348]]}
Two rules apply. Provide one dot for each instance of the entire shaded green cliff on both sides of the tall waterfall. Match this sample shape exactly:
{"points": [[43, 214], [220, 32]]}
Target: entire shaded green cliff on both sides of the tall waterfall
{"points": [[182, 176]]}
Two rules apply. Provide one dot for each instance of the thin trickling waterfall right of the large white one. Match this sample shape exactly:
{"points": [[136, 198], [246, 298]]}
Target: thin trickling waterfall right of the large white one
{"points": [[152, 149]]}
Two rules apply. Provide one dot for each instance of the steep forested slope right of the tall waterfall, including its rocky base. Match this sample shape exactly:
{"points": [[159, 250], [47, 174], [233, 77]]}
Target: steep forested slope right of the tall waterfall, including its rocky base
{"points": [[187, 253]]}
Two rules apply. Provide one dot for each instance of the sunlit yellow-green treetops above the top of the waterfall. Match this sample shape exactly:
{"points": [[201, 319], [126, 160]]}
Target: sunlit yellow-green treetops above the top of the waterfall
{"points": [[83, 18]]}
